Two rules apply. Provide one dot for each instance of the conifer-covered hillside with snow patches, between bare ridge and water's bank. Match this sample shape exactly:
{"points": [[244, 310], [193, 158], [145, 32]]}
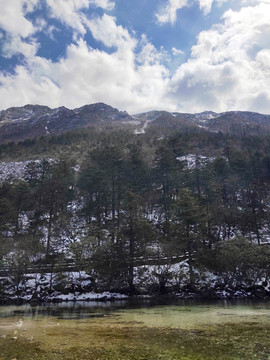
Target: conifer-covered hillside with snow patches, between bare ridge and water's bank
{"points": [[111, 202]]}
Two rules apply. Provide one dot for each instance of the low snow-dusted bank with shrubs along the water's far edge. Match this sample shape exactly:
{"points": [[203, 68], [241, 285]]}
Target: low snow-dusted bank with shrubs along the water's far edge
{"points": [[81, 286]]}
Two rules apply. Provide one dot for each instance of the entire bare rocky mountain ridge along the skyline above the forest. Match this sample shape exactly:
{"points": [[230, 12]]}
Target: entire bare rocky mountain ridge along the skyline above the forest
{"points": [[30, 121]]}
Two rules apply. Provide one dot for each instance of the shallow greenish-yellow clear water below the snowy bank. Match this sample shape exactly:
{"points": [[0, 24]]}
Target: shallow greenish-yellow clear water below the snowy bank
{"points": [[123, 331]]}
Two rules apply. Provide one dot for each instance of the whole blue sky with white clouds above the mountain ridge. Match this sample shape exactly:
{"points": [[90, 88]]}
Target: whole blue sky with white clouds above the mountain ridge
{"points": [[136, 55]]}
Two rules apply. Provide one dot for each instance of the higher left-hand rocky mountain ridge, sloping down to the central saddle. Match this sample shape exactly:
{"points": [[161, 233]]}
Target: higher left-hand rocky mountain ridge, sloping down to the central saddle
{"points": [[29, 121]]}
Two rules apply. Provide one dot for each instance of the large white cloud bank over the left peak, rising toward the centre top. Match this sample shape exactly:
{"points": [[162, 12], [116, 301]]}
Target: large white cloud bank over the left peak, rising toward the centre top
{"points": [[129, 82]]}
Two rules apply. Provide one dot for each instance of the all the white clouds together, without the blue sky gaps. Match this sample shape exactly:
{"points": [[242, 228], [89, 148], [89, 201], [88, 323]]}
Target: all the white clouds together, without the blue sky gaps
{"points": [[228, 68]]}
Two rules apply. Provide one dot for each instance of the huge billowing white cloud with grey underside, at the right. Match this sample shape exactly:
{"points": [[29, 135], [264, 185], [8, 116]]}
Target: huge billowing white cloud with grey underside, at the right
{"points": [[228, 68]]}
